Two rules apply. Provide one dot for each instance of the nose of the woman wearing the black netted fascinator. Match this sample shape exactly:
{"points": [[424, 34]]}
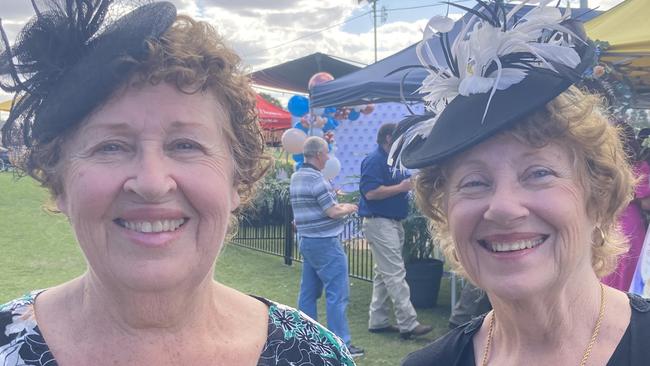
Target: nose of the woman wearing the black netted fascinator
{"points": [[151, 179]]}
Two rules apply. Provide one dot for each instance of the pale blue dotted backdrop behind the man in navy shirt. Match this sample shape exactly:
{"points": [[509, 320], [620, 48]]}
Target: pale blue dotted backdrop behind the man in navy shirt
{"points": [[355, 139]]}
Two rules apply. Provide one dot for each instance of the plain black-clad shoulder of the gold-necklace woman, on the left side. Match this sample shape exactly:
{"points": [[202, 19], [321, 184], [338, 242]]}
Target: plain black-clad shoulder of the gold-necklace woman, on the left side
{"points": [[448, 349]]}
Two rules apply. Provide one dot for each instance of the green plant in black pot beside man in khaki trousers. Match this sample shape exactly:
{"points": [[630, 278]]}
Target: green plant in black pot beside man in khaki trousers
{"points": [[423, 271]]}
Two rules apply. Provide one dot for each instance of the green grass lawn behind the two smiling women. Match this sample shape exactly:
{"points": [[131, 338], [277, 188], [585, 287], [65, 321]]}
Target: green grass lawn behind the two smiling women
{"points": [[38, 250]]}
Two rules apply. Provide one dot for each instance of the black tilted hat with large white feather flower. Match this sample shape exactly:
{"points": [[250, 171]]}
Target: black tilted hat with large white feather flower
{"points": [[500, 68]]}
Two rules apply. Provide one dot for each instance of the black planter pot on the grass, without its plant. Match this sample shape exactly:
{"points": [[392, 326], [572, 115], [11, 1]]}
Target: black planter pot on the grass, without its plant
{"points": [[423, 278]]}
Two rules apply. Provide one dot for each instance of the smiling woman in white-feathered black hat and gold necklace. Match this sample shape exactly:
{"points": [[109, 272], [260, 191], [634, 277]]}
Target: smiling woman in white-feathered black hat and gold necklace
{"points": [[523, 178]]}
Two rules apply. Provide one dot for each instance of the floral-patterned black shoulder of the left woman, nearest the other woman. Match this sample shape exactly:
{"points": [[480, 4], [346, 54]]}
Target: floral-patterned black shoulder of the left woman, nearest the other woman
{"points": [[292, 335]]}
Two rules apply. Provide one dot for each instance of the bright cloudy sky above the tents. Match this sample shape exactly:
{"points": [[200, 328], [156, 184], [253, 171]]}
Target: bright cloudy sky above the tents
{"points": [[268, 32]]}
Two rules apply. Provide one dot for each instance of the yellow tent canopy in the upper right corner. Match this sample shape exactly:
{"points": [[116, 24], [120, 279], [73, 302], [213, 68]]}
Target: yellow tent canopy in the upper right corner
{"points": [[626, 28]]}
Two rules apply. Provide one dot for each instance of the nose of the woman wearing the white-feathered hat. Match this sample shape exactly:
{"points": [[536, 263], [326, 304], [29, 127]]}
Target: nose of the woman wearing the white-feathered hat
{"points": [[506, 205]]}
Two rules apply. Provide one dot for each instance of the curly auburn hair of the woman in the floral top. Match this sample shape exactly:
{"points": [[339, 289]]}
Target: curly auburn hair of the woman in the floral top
{"points": [[194, 58]]}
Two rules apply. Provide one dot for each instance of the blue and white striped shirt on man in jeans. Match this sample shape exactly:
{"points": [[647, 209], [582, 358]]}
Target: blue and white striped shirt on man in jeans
{"points": [[310, 196]]}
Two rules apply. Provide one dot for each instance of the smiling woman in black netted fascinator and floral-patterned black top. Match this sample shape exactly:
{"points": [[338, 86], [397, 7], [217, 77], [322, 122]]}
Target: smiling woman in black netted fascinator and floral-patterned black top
{"points": [[144, 130]]}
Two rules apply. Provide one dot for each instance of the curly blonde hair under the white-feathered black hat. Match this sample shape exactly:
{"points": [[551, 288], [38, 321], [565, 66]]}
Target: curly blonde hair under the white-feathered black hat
{"points": [[574, 119]]}
